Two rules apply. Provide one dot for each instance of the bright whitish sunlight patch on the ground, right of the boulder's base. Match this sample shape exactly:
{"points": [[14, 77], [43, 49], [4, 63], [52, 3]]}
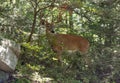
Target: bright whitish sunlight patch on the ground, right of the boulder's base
{"points": [[31, 78]]}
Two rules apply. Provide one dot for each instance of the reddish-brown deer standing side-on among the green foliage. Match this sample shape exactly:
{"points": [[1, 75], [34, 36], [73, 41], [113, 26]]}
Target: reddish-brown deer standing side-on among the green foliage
{"points": [[62, 42]]}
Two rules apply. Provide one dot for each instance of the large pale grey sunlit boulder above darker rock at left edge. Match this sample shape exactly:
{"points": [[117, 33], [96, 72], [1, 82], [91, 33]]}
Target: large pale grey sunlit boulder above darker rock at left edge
{"points": [[9, 51]]}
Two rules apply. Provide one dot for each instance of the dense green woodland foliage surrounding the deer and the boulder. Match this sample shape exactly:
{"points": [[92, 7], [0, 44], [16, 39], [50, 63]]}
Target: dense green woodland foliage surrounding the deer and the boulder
{"points": [[98, 21]]}
